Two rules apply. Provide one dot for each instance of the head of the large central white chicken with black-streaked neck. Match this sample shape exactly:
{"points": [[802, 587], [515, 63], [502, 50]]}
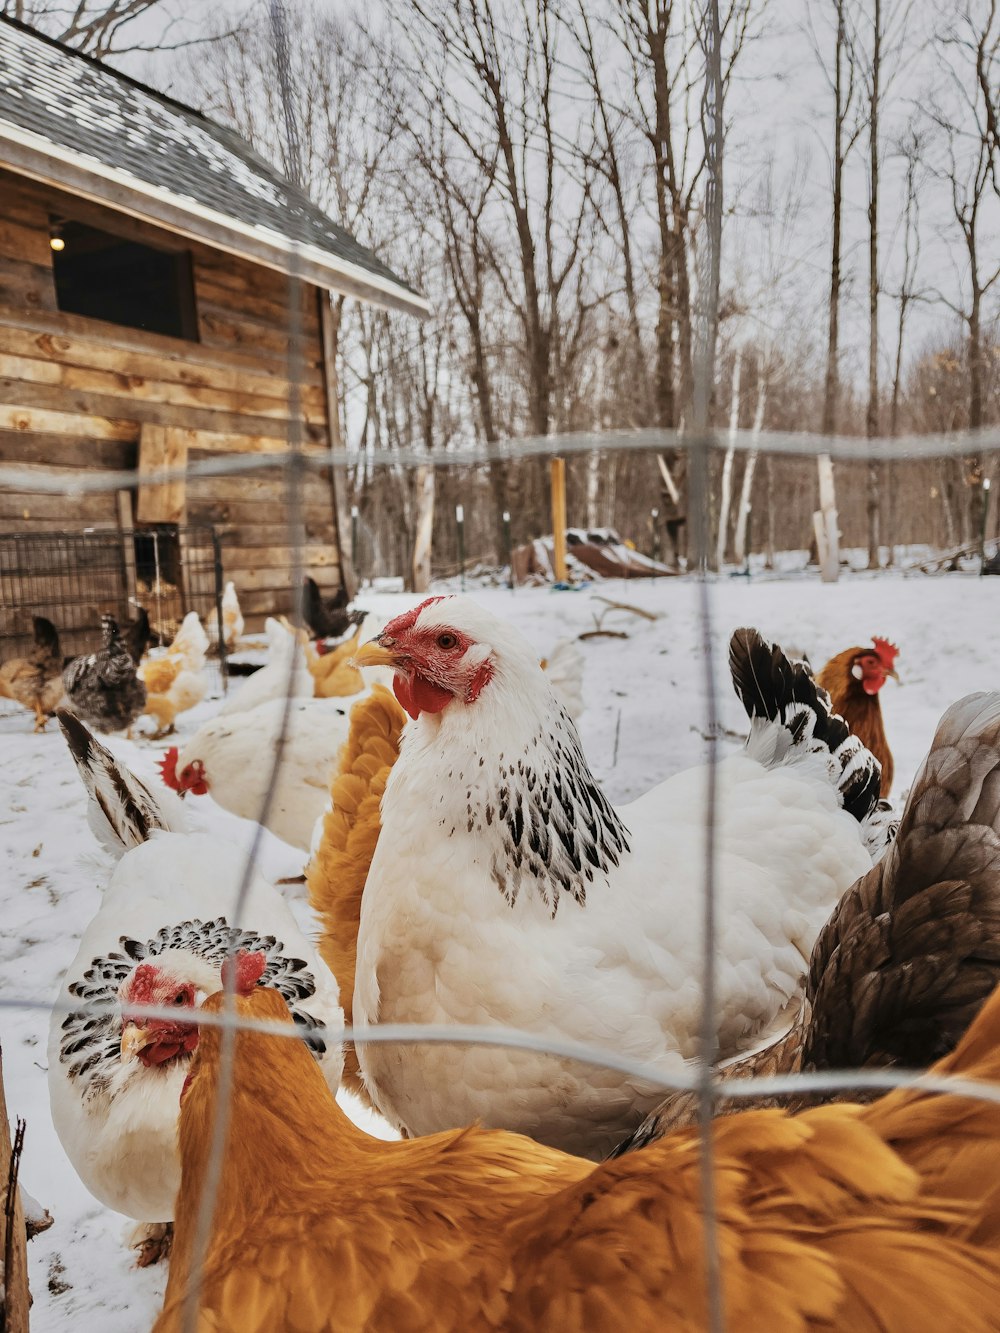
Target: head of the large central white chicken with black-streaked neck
{"points": [[447, 650]]}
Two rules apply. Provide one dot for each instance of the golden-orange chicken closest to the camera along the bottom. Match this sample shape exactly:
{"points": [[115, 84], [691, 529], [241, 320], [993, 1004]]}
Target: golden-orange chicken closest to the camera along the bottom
{"points": [[843, 1218]]}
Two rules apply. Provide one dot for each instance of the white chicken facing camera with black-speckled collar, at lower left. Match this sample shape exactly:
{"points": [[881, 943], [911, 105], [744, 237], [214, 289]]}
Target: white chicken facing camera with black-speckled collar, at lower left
{"points": [[162, 932]]}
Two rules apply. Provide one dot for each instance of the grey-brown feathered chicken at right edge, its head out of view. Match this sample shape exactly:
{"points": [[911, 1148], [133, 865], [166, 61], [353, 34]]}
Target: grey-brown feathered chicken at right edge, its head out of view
{"points": [[913, 951]]}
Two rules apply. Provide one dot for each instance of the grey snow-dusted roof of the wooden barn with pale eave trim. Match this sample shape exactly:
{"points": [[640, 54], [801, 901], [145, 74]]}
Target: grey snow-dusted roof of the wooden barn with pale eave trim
{"points": [[79, 125]]}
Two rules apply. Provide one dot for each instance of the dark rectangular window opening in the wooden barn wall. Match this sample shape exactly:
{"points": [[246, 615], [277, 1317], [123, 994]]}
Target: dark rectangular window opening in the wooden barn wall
{"points": [[110, 278]]}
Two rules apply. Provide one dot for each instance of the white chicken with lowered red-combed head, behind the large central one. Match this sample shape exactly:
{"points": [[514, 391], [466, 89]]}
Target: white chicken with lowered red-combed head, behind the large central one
{"points": [[231, 759]]}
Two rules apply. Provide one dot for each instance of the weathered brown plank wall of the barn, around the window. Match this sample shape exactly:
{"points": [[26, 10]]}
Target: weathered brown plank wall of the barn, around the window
{"points": [[75, 395]]}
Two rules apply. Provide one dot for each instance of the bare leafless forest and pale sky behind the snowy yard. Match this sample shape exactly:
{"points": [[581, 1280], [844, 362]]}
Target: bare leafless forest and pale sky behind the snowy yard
{"points": [[538, 170]]}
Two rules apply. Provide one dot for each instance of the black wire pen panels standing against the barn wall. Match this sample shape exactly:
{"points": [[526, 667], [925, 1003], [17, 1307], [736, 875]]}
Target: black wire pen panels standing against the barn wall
{"points": [[74, 578]]}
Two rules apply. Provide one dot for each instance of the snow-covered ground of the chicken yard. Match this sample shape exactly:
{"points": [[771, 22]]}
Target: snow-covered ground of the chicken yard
{"points": [[646, 719]]}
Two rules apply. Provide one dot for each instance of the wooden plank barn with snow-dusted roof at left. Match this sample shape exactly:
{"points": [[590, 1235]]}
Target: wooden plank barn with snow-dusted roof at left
{"points": [[145, 323]]}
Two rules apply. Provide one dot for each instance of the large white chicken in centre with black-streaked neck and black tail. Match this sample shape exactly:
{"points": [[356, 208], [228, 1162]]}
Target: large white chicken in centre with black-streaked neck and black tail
{"points": [[506, 890]]}
